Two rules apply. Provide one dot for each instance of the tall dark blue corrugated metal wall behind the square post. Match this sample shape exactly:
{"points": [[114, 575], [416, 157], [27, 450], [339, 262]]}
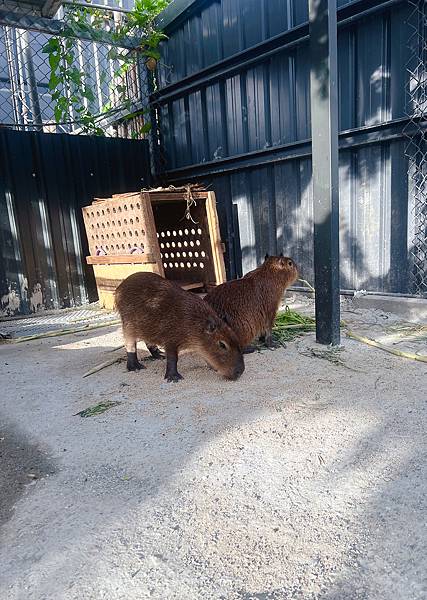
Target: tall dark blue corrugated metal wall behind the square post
{"points": [[234, 106]]}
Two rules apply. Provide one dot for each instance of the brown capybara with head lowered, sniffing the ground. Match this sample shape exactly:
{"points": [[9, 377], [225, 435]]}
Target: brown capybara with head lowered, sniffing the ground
{"points": [[160, 313]]}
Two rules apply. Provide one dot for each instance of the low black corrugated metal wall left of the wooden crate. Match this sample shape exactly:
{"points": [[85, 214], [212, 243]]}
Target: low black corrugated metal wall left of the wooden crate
{"points": [[45, 179]]}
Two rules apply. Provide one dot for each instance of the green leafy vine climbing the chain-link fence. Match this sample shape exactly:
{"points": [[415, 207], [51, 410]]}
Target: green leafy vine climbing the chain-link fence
{"points": [[69, 83]]}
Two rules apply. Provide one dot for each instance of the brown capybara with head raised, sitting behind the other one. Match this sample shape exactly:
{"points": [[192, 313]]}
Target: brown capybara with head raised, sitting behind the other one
{"points": [[249, 305]]}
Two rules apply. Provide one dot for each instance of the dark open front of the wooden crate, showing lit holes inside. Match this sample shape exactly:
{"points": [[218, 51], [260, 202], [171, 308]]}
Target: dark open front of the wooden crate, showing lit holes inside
{"points": [[185, 245]]}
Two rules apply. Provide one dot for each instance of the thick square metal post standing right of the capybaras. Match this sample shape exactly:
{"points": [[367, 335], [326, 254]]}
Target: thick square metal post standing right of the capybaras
{"points": [[324, 124]]}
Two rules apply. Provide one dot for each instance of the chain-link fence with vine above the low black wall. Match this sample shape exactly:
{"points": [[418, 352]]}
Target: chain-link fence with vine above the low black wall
{"points": [[79, 71]]}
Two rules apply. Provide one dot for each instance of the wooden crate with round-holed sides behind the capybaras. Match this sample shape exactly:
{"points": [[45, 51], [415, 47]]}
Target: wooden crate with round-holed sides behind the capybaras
{"points": [[189, 252]]}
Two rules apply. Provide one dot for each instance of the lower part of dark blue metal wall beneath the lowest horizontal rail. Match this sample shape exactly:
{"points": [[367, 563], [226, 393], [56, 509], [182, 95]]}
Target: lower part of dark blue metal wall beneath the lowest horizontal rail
{"points": [[373, 216]]}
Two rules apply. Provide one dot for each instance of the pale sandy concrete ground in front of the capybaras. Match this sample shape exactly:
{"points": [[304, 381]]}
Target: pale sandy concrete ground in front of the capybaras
{"points": [[302, 480]]}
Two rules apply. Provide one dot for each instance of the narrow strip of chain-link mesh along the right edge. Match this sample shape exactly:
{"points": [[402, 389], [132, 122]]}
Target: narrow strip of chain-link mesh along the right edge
{"points": [[416, 147]]}
